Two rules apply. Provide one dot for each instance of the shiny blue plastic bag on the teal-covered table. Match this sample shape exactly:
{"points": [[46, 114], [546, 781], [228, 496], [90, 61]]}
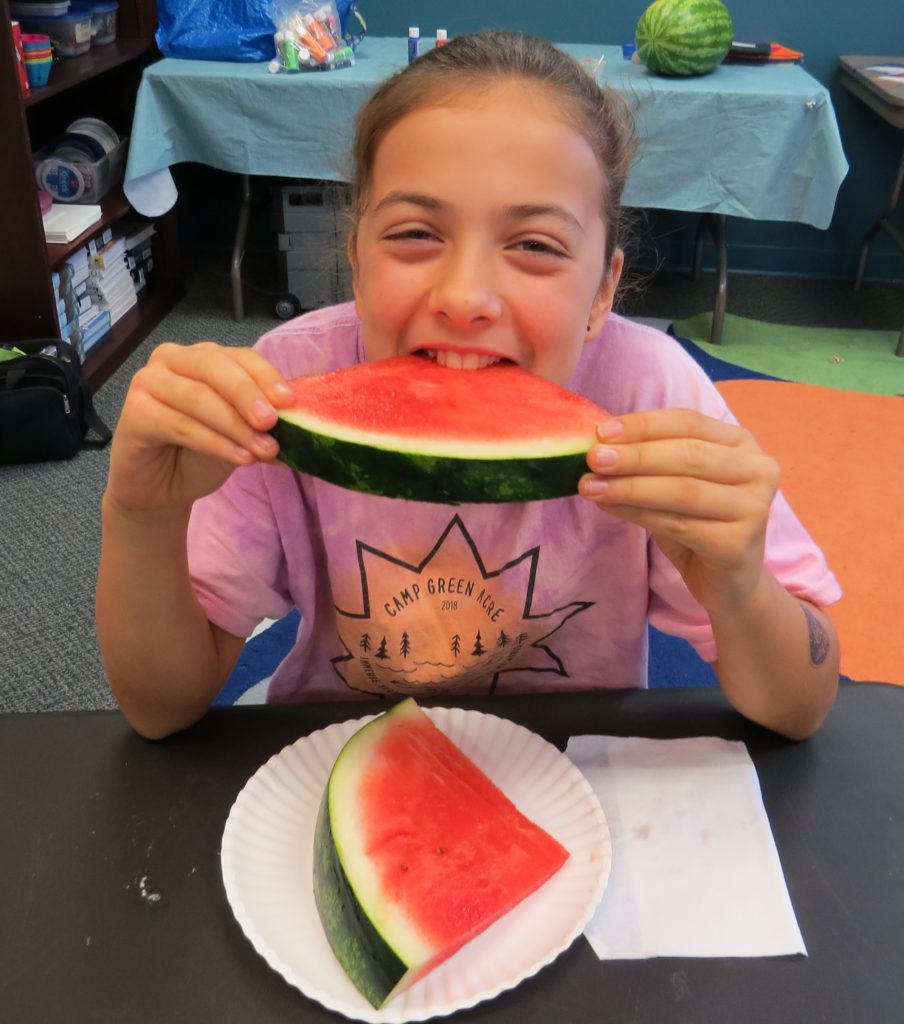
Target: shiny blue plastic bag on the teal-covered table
{"points": [[240, 31]]}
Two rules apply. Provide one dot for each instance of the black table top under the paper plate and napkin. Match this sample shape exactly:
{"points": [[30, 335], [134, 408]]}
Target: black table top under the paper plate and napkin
{"points": [[95, 820]]}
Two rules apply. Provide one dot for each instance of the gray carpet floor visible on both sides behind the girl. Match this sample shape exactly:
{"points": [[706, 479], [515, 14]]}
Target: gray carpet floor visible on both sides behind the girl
{"points": [[51, 513]]}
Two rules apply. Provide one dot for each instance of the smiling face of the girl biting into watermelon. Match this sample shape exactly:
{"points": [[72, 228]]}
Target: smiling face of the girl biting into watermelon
{"points": [[483, 237]]}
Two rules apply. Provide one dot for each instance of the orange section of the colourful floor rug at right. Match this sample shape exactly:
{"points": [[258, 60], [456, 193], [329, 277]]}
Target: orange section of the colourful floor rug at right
{"points": [[842, 455]]}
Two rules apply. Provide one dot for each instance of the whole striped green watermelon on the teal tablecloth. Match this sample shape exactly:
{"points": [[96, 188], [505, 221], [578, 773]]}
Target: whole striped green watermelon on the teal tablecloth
{"points": [[684, 37]]}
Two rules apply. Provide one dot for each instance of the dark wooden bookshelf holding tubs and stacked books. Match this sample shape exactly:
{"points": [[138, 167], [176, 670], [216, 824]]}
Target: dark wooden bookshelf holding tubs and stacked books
{"points": [[102, 83]]}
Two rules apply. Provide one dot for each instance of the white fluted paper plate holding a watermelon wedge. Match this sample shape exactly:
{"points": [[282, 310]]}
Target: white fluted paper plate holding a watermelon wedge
{"points": [[268, 857]]}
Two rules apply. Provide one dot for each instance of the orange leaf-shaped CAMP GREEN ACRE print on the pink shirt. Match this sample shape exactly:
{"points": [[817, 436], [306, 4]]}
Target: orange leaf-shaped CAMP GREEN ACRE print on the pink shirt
{"points": [[448, 623]]}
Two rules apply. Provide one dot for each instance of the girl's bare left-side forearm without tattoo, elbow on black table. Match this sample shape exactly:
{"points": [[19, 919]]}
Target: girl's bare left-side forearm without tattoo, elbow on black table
{"points": [[160, 654]]}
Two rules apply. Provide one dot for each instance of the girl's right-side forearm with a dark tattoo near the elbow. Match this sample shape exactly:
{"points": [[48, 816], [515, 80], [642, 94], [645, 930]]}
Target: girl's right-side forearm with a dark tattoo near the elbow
{"points": [[779, 660]]}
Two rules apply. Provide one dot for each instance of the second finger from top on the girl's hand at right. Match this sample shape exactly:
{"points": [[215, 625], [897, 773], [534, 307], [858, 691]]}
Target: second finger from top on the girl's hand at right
{"points": [[680, 457]]}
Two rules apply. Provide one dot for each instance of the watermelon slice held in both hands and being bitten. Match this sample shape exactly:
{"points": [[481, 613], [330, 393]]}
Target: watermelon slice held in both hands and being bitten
{"points": [[408, 428]]}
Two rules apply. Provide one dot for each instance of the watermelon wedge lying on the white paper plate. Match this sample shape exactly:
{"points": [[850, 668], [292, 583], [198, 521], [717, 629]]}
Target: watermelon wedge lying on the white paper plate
{"points": [[417, 852]]}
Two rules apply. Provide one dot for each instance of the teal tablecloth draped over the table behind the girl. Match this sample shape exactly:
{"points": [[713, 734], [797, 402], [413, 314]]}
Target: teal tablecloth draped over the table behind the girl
{"points": [[748, 142]]}
